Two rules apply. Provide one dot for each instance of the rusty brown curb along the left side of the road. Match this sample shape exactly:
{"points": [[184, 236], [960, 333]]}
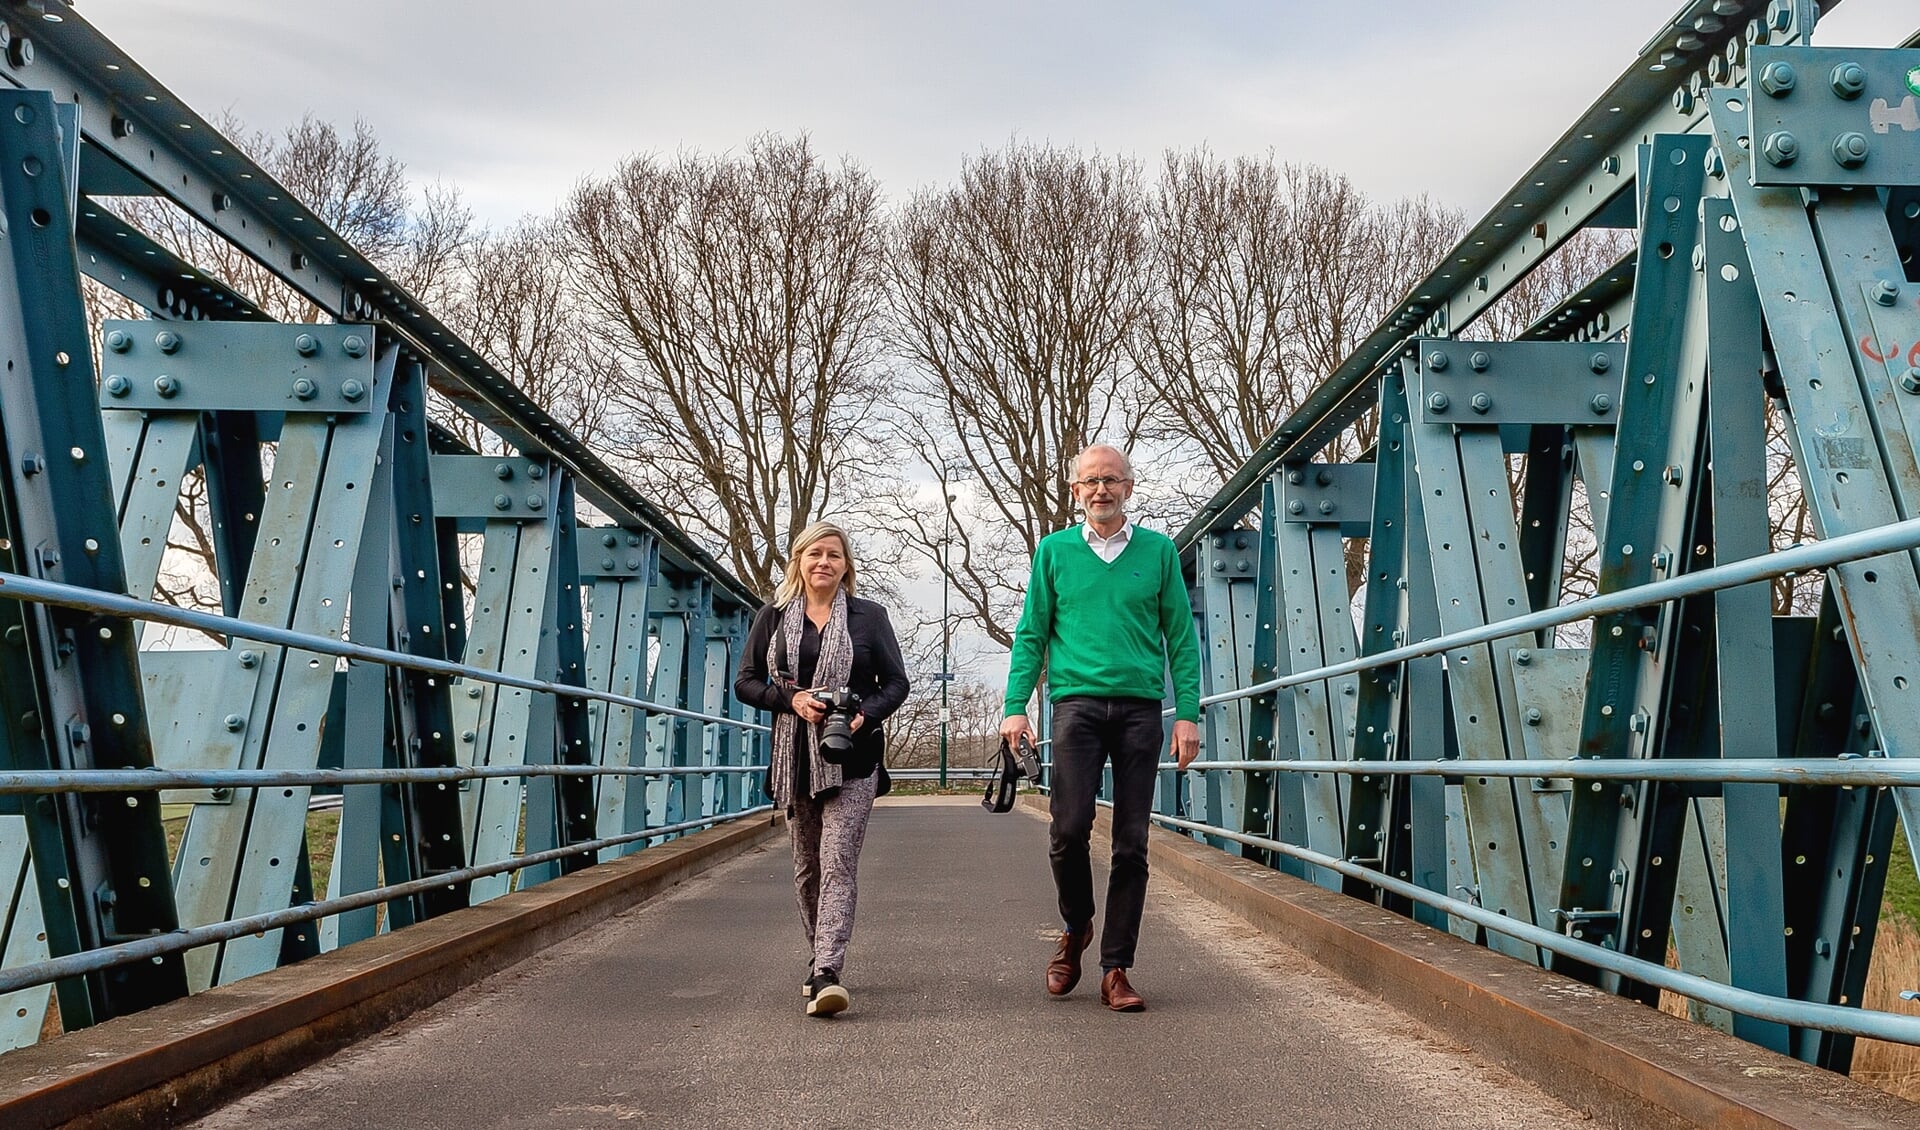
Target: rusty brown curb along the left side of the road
{"points": [[181, 1060]]}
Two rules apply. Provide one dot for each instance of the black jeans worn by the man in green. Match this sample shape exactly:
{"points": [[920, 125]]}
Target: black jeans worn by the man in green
{"points": [[1088, 732]]}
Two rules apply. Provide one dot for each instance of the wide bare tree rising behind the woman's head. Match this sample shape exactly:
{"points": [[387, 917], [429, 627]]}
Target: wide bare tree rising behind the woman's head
{"points": [[740, 298]]}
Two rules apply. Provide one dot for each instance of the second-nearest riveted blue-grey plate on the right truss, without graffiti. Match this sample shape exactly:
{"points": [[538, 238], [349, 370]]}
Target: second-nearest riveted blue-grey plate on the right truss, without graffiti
{"points": [[1520, 383]]}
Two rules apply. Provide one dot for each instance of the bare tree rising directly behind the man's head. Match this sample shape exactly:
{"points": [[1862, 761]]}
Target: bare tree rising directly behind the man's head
{"points": [[1015, 293]]}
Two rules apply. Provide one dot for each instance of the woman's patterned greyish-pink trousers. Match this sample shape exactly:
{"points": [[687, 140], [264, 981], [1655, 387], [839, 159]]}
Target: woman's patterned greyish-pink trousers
{"points": [[827, 853]]}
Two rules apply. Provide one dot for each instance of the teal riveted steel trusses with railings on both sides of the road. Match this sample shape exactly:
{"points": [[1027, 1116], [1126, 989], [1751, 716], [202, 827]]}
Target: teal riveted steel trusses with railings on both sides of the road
{"points": [[1700, 776]]}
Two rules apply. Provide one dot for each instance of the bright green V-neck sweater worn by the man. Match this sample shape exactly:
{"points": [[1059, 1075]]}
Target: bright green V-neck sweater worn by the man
{"points": [[1109, 630]]}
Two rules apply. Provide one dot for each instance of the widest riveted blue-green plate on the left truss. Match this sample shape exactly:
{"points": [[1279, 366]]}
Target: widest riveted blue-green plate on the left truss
{"points": [[251, 367]]}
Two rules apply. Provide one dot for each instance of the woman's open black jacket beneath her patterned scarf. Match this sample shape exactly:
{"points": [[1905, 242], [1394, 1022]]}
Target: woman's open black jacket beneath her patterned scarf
{"points": [[878, 676]]}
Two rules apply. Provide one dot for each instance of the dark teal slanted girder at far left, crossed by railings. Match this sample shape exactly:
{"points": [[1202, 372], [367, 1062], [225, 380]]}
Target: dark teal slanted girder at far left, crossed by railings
{"points": [[72, 680]]}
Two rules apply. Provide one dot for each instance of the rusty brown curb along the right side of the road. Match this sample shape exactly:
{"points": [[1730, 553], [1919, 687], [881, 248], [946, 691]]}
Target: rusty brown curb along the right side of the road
{"points": [[1621, 1062]]}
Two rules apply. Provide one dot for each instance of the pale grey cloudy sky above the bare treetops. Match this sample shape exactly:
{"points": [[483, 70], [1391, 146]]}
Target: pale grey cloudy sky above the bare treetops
{"points": [[517, 103]]}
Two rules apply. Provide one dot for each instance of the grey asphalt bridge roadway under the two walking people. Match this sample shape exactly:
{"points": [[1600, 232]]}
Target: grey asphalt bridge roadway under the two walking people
{"points": [[686, 1012]]}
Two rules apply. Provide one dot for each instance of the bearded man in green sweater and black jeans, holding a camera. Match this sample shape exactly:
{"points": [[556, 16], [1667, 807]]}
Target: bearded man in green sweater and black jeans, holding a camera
{"points": [[1107, 619]]}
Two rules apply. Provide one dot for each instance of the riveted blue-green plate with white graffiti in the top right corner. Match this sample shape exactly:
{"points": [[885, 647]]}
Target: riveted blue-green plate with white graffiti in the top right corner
{"points": [[1835, 116]]}
